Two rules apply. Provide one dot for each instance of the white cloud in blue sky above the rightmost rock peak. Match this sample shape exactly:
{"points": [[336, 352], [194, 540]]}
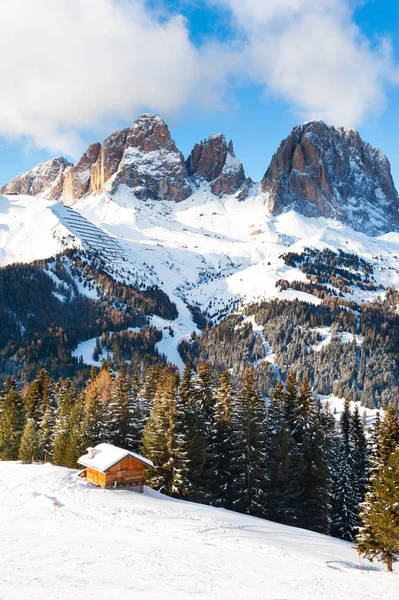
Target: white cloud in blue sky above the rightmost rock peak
{"points": [[310, 54]]}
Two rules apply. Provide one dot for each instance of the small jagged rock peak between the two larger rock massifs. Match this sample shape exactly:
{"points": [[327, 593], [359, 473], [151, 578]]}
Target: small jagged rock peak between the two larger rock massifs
{"points": [[215, 161]]}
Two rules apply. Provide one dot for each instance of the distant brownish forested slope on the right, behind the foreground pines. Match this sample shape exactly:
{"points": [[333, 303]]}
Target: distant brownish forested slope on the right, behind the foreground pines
{"points": [[365, 369]]}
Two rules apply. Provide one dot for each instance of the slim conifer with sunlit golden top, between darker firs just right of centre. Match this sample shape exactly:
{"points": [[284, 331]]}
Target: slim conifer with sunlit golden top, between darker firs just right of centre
{"points": [[221, 447]]}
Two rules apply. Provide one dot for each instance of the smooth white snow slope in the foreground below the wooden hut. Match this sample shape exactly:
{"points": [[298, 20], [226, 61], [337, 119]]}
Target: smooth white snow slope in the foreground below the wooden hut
{"points": [[120, 544]]}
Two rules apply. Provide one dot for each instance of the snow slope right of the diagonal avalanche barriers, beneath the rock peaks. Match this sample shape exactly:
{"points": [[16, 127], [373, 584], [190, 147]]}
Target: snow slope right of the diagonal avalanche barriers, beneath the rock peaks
{"points": [[216, 252]]}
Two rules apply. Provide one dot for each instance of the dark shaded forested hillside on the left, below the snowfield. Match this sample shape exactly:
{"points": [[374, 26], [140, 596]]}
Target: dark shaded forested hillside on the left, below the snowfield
{"points": [[44, 317]]}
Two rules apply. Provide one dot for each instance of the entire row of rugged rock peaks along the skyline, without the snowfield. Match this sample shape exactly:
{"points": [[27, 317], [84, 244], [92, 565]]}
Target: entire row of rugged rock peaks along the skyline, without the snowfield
{"points": [[318, 170]]}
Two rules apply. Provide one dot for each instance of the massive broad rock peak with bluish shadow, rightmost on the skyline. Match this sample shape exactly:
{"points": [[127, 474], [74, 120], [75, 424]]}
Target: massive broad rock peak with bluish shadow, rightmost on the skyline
{"points": [[326, 171]]}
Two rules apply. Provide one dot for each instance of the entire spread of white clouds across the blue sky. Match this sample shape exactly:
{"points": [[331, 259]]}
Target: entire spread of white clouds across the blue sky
{"points": [[69, 65]]}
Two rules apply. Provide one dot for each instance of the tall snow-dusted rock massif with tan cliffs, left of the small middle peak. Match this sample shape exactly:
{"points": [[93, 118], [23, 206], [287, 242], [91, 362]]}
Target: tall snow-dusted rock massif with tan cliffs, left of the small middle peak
{"points": [[145, 158]]}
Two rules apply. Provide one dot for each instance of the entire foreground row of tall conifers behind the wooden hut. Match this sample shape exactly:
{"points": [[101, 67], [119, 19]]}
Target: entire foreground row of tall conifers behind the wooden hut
{"points": [[211, 442]]}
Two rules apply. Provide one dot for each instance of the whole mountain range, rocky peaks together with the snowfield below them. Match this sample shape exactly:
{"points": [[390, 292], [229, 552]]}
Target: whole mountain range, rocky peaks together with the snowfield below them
{"points": [[204, 233]]}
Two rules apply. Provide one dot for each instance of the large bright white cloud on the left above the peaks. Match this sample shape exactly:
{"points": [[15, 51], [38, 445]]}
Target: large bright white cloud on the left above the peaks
{"points": [[73, 64]]}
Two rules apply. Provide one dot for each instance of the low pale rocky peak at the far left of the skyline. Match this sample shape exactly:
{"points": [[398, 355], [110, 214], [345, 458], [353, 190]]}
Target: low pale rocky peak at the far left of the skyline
{"points": [[46, 179]]}
